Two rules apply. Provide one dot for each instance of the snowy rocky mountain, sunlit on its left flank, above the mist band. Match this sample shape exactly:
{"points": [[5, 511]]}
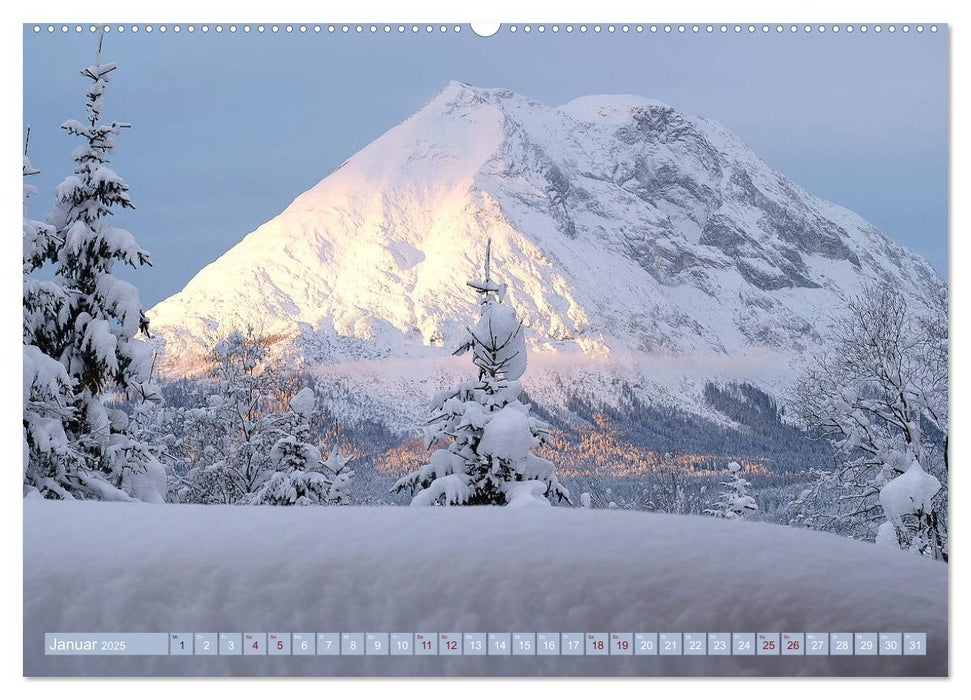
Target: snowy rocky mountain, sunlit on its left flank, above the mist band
{"points": [[626, 231]]}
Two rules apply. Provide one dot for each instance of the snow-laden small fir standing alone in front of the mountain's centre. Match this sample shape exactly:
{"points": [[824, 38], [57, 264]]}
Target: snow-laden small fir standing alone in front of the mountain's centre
{"points": [[488, 430]]}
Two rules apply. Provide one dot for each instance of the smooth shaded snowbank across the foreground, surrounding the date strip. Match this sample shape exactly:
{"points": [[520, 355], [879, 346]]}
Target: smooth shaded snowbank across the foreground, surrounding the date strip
{"points": [[113, 567]]}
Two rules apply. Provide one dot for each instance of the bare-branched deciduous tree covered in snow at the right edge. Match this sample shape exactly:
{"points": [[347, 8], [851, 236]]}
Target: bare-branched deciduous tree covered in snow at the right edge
{"points": [[880, 398]]}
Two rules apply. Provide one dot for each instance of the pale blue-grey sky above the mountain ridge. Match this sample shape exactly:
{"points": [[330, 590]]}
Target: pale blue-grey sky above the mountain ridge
{"points": [[228, 129]]}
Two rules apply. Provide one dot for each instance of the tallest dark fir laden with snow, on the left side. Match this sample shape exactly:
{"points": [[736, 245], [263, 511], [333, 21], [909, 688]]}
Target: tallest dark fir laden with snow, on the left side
{"points": [[88, 320]]}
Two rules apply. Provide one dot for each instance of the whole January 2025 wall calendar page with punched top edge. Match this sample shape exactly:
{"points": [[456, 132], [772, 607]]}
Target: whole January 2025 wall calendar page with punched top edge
{"points": [[545, 349]]}
